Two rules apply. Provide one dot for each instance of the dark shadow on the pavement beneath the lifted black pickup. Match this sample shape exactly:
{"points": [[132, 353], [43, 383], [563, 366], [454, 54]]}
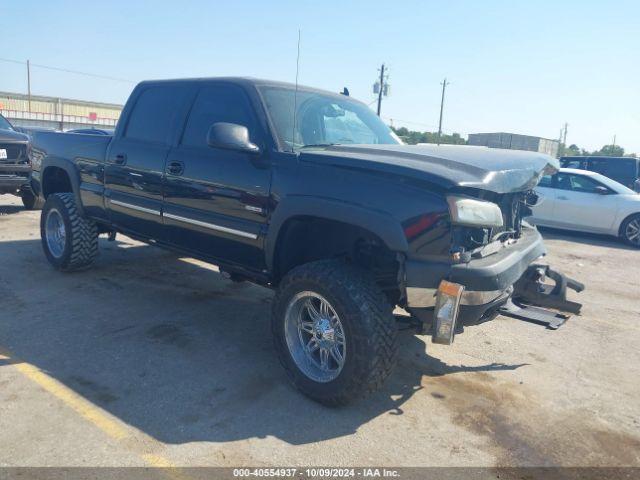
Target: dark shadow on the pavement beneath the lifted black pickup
{"points": [[171, 348]]}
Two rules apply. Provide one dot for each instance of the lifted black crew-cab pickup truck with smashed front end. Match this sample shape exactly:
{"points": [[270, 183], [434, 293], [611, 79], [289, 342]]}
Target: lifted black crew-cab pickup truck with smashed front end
{"points": [[309, 193]]}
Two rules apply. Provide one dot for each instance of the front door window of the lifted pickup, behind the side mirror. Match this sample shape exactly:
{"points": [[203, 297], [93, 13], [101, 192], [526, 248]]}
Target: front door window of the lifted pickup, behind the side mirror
{"points": [[216, 103]]}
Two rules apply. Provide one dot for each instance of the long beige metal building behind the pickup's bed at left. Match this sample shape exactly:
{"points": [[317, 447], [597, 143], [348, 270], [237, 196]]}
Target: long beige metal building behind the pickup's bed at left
{"points": [[57, 113]]}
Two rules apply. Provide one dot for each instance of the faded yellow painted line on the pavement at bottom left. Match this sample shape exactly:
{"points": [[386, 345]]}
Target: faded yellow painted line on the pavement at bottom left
{"points": [[105, 422]]}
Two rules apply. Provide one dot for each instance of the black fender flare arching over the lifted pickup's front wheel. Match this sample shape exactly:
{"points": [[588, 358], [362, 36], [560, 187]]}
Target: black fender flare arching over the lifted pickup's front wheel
{"points": [[383, 225]]}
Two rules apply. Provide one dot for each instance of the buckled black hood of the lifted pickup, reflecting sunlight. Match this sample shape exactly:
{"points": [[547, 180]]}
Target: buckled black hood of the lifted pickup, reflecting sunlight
{"points": [[450, 166]]}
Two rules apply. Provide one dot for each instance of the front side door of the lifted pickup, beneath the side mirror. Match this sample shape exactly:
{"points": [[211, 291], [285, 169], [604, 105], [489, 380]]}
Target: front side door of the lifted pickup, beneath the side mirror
{"points": [[215, 200]]}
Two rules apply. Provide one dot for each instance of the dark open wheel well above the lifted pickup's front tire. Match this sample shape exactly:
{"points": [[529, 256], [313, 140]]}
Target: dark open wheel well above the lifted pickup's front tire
{"points": [[306, 239]]}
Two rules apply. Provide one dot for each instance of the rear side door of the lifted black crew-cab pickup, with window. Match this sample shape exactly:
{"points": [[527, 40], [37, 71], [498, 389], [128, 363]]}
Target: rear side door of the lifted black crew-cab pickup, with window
{"points": [[135, 162]]}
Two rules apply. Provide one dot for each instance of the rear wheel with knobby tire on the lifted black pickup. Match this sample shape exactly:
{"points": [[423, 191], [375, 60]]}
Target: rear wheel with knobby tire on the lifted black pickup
{"points": [[70, 242]]}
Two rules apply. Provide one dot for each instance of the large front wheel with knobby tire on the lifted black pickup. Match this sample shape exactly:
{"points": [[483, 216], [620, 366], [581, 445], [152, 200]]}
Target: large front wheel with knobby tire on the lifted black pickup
{"points": [[334, 331]]}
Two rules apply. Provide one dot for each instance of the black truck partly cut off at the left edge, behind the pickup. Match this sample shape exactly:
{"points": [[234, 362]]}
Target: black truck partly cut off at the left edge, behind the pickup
{"points": [[15, 169]]}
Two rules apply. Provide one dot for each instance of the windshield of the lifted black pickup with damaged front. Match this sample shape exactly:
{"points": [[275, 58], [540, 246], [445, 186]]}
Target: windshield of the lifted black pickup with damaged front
{"points": [[322, 119]]}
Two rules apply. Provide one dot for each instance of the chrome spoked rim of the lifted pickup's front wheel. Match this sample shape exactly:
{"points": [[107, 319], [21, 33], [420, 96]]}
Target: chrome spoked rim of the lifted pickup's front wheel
{"points": [[315, 337]]}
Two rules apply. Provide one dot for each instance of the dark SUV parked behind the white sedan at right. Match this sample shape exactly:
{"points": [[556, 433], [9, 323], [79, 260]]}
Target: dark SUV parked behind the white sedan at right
{"points": [[624, 170]]}
